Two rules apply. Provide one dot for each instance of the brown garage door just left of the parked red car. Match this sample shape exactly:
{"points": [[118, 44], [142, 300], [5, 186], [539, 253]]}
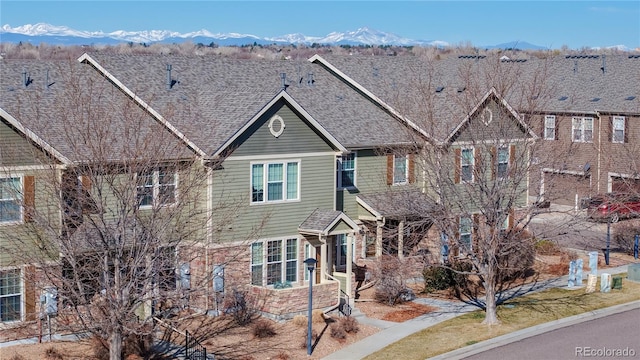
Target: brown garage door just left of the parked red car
{"points": [[564, 188]]}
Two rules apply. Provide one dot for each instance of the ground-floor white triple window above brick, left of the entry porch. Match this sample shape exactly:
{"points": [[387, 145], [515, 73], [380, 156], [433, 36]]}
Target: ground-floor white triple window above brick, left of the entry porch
{"points": [[281, 265]]}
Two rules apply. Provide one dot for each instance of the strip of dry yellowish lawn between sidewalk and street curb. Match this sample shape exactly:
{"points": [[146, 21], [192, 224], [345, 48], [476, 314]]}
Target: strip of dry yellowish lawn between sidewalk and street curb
{"points": [[516, 314]]}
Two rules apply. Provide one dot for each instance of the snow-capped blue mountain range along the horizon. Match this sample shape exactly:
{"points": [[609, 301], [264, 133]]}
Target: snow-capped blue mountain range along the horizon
{"points": [[62, 35]]}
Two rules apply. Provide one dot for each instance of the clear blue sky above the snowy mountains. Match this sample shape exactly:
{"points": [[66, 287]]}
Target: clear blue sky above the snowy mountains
{"points": [[550, 23]]}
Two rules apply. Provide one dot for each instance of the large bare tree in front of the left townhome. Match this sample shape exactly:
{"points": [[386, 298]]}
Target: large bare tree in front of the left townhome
{"points": [[117, 208]]}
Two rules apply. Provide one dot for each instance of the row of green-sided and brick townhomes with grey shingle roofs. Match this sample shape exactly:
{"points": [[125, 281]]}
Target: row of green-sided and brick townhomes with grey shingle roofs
{"points": [[240, 170]]}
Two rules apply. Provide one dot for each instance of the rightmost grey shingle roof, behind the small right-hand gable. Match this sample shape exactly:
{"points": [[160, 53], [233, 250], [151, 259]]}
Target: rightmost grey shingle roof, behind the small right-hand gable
{"points": [[438, 94]]}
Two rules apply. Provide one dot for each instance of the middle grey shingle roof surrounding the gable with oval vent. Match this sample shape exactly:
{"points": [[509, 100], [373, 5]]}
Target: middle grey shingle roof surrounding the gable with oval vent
{"points": [[213, 97]]}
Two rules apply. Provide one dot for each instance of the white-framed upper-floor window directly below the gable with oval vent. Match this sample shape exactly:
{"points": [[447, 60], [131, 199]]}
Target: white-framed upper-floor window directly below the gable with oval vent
{"points": [[281, 181]]}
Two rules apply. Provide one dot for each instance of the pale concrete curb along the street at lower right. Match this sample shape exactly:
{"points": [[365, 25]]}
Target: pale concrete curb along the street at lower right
{"points": [[535, 330]]}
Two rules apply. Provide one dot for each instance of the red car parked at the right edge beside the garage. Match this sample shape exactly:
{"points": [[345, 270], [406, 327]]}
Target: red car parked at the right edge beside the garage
{"points": [[613, 206]]}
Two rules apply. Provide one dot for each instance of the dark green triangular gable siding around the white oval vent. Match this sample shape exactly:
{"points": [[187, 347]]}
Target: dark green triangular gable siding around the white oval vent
{"points": [[297, 137]]}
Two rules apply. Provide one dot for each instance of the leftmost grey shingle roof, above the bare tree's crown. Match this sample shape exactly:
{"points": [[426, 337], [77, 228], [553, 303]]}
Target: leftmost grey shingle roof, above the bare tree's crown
{"points": [[80, 114]]}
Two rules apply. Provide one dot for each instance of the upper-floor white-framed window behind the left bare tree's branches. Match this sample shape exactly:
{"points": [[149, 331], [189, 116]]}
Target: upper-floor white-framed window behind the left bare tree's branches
{"points": [[156, 187]]}
